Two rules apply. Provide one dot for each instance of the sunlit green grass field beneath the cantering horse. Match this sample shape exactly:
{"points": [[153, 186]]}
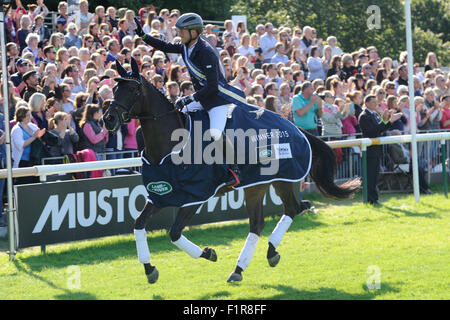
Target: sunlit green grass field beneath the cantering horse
{"points": [[333, 254]]}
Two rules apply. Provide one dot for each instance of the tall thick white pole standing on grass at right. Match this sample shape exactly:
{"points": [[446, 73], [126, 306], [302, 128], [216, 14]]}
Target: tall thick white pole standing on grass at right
{"points": [[412, 107]]}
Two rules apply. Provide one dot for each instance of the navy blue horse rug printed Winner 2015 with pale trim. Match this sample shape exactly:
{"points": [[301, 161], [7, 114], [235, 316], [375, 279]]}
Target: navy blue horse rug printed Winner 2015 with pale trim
{"points": [[268, 148]]}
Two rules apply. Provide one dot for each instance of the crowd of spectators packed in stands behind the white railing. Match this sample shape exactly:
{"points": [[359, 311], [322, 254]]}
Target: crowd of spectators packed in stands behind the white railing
{"points": [[60, 81]]}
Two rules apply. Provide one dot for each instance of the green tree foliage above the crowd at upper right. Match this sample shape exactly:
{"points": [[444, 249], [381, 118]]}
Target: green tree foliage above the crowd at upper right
{"points": [[348, 20]]}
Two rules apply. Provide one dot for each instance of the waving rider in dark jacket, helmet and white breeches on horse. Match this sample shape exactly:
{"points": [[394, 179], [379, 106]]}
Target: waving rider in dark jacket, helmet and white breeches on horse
{"points": [[212, 94]]}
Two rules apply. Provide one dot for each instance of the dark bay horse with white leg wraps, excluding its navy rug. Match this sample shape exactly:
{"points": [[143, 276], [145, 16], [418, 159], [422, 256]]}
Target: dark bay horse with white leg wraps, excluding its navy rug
{"points": [[135, 97]]}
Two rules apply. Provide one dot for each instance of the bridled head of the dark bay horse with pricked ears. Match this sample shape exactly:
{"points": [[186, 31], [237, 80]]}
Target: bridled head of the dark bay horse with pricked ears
{"points": [[127, 97]]}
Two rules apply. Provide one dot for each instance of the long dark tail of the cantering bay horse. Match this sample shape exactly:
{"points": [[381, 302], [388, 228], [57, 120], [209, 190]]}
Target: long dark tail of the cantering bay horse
{"points": [[323, 170]]}
